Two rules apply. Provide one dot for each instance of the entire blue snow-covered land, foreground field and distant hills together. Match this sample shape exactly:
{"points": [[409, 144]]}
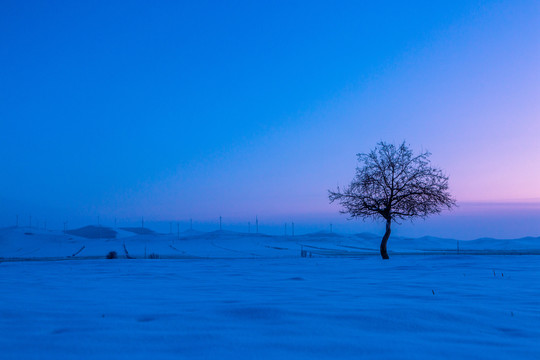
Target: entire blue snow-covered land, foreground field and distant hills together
{"points": [[245, 296]]}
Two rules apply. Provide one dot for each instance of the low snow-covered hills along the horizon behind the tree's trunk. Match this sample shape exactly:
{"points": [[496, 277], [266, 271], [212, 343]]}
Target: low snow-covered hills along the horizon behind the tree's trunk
{"points": [[97, 242]]}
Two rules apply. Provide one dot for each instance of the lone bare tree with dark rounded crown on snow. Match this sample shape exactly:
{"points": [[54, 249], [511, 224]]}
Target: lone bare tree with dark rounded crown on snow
{"points": [[394, 184]]}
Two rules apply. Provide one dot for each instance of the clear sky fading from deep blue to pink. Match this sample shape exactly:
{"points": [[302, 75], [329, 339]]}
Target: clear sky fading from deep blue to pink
{"points": [[197, 109]]}
